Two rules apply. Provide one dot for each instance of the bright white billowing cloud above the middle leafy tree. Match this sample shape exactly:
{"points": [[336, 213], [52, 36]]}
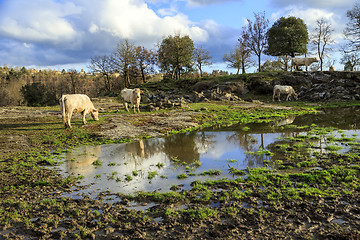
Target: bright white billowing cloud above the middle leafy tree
{"points": [[124, 19]]}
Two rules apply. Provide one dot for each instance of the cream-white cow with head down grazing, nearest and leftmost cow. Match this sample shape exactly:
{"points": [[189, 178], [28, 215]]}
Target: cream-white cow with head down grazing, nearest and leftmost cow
{"points": [[77, 103]]}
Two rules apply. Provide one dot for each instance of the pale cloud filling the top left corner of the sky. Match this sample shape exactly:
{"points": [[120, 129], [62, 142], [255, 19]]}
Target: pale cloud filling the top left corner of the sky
{"points": [[37, 21]]}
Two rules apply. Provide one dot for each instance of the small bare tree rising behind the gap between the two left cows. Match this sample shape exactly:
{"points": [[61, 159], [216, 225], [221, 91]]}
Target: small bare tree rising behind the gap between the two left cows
{"points": [[102, 64]]}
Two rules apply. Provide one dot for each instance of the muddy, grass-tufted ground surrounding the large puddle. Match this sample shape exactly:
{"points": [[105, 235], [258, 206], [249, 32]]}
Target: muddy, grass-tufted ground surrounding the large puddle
{"points": [[33, 205]]}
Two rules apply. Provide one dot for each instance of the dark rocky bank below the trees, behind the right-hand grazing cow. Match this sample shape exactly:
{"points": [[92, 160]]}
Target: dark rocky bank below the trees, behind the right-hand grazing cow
{"points": [[310, 86]]}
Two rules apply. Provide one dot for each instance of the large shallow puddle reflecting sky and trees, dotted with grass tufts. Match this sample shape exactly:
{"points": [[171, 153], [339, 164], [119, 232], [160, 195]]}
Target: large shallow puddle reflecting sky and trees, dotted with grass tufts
{"points": [[181, 159]]}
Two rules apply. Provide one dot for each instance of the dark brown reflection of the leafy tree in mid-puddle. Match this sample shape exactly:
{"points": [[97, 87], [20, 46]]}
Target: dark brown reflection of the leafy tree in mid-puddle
{"points": [[187, 147]]}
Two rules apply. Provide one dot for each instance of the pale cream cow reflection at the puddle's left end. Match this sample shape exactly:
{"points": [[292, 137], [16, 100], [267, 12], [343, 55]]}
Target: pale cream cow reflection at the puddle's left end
{"points": [[81, 163]]}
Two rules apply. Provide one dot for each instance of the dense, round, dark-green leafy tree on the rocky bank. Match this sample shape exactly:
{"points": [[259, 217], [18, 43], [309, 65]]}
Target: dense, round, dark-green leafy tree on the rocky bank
{"points": [[287, 37]]}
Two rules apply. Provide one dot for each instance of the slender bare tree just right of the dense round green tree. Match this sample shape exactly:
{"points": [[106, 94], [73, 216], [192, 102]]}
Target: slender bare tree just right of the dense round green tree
{"points": [[321, 38]]}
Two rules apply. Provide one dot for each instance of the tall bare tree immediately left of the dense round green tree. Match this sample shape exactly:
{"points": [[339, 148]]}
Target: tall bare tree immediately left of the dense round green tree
{"points": [[255, 35]]}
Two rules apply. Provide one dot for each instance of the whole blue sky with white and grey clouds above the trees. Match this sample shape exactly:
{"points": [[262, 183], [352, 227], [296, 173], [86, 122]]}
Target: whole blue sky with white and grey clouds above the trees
{"points": [[65, 34]]}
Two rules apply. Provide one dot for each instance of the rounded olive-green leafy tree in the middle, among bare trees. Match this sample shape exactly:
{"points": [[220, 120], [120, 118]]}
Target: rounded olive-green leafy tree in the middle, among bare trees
{"points": [[175, 55]]}
